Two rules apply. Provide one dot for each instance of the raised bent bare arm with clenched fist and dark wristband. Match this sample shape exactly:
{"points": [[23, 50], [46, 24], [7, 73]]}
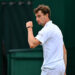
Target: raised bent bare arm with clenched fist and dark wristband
{"points": [[33, 42]]}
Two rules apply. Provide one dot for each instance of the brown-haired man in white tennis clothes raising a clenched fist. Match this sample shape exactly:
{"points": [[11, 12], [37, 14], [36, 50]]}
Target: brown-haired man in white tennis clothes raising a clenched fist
{"points": [[50, 37]]}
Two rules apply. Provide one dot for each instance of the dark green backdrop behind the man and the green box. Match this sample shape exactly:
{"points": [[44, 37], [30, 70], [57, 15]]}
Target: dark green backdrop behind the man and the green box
{"points": [[13, 33]]}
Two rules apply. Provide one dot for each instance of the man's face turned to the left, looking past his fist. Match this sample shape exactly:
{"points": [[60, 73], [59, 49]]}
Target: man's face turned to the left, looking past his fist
{"points": [[41, 18]]}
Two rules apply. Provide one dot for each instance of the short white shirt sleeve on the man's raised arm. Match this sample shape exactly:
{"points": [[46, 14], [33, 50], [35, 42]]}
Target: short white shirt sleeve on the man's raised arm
{"points": [[43, 36]]}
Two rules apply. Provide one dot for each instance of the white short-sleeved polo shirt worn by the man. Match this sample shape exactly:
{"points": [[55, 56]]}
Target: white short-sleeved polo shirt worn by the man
{"points": [[51, 39]]}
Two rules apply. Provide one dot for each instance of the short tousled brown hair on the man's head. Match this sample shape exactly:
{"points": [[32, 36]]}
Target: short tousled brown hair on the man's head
{"points": [[44, 8]]}
